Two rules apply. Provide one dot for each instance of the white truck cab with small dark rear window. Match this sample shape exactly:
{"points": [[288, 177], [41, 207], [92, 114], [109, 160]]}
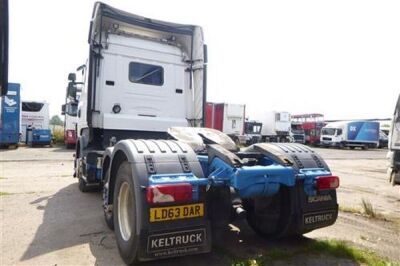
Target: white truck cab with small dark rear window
{"points": [[142, 77]]}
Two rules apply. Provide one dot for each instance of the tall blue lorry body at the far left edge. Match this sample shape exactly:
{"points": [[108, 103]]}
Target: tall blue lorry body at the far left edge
{"points": [[10, 106]]}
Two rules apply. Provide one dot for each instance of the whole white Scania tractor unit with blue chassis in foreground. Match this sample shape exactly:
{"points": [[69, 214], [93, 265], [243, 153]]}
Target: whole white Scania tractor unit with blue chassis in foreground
{"points": [[169, 184]]}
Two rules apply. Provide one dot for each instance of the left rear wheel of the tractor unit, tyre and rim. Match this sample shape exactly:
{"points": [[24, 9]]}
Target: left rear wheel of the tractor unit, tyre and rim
{"points": [[124, 209]]}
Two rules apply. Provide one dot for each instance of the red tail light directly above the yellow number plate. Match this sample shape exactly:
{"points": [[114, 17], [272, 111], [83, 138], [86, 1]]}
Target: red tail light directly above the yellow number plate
{"points": [[169, 193]]}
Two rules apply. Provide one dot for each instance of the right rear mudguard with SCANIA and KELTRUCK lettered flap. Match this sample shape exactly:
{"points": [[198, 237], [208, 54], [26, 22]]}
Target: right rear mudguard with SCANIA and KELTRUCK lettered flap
{"points": [[310, 209]]}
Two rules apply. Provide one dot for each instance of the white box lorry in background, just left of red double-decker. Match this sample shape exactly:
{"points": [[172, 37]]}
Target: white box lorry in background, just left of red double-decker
{"points": [[276, 126]]}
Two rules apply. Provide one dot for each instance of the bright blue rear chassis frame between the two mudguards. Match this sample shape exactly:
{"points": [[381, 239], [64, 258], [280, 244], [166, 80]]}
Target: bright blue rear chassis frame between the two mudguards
{"points": [[248, 181]]}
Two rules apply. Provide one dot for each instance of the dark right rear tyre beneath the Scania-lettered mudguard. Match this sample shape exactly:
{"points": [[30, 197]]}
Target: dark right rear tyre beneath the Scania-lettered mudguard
{"points": [[270, 216]]}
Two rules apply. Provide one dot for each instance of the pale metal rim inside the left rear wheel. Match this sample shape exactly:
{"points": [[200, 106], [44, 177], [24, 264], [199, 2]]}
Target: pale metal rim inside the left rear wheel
{"points": [[125, 209]]}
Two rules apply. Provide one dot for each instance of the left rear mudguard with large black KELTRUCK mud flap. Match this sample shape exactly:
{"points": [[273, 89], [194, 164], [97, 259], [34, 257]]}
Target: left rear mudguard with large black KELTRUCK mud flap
{"points": [[159, 162]]}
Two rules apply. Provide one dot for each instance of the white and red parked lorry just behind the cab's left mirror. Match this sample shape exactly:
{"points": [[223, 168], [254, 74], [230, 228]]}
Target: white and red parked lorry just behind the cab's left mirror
{"points": [[70, 112]]}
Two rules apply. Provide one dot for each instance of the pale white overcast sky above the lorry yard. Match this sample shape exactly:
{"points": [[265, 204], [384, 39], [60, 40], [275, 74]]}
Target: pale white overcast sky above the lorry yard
{"points": [[339, 58]]}
